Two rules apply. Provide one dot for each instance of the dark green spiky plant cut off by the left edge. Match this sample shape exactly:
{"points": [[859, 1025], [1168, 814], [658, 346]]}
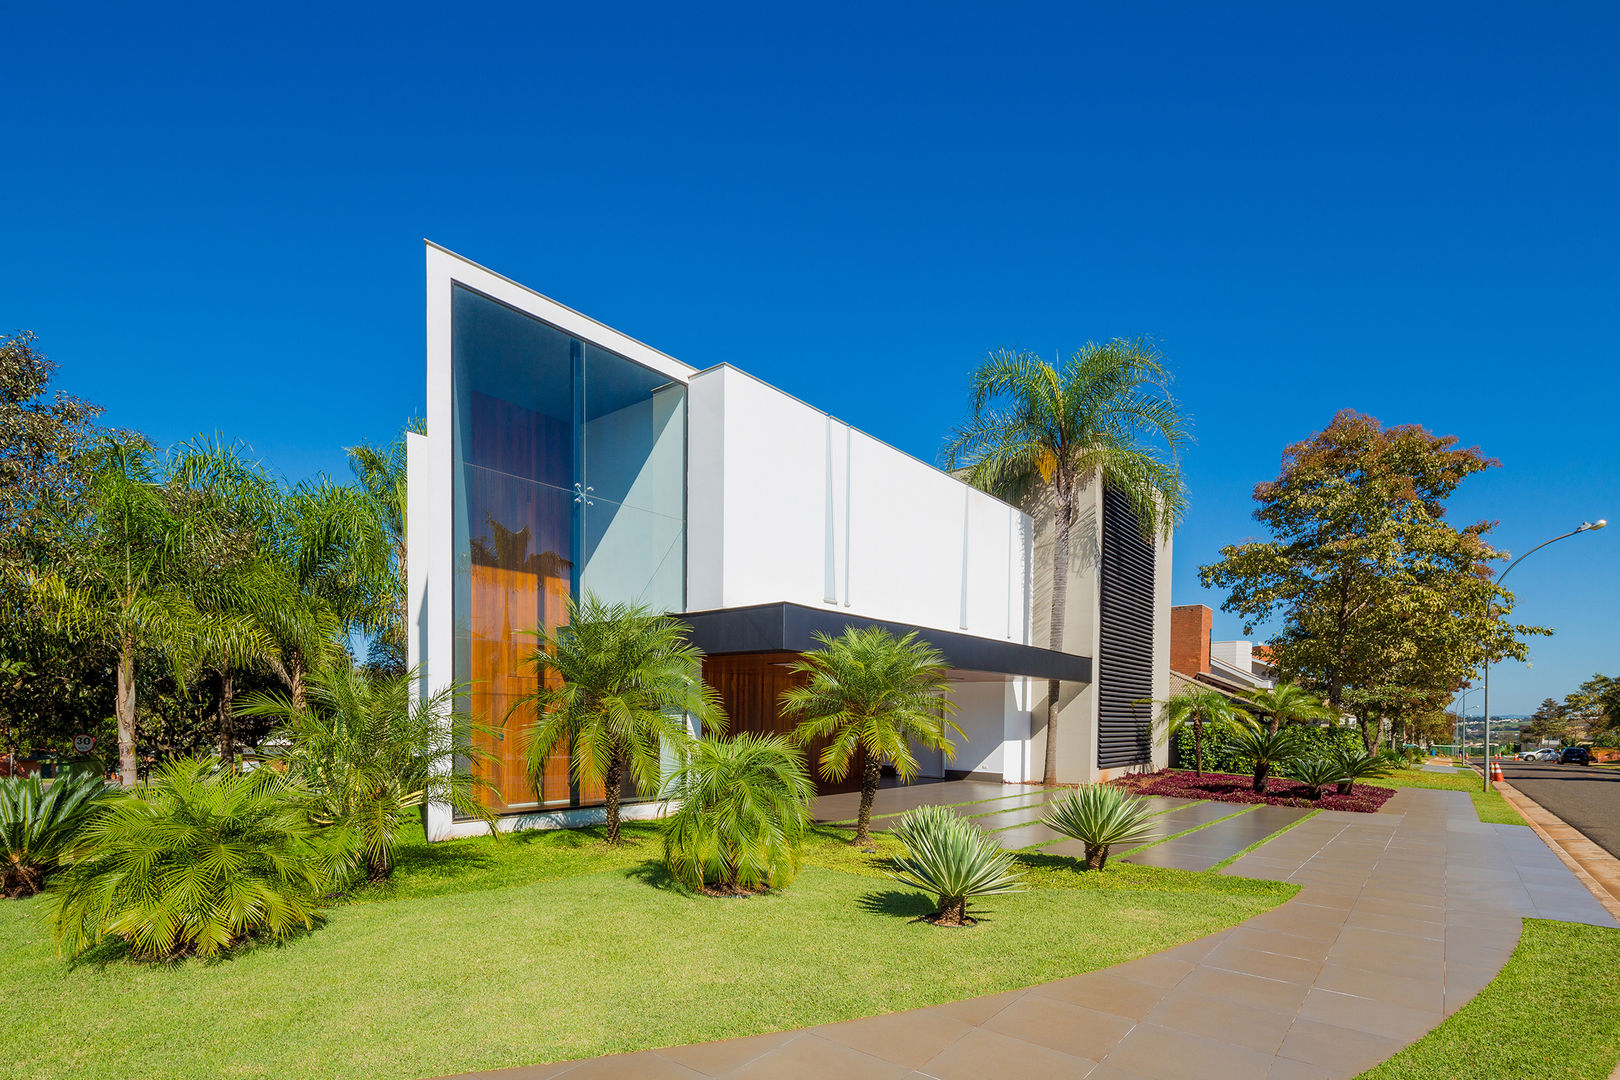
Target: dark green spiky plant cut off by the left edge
{"points": [[38, 825]]}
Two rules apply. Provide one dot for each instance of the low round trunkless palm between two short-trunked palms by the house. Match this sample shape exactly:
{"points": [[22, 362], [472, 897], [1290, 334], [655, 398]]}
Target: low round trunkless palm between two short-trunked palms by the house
{"points": [[743, 807]]}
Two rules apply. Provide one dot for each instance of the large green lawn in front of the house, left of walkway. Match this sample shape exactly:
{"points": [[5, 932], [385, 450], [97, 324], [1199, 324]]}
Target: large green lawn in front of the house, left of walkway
{"points": [[548, 946]]}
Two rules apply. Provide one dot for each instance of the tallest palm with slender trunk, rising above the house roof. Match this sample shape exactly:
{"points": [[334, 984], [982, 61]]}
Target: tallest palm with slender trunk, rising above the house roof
{"points": [[1106, 414]]}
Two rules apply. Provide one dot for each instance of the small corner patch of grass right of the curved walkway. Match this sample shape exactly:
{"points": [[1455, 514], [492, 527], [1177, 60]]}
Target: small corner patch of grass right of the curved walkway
{"points": [[1553, 1013]]}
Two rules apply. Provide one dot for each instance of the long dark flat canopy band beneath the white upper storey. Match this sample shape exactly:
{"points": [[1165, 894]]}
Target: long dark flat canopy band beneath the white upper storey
{"points": [[791, 629]]}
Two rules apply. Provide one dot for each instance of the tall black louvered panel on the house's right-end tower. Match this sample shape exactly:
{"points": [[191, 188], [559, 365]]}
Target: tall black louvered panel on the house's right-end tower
{"points": [[1125, 642]]}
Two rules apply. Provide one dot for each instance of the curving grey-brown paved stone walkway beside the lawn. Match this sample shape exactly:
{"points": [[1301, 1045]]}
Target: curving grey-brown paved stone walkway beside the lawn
{"points": [[1402, 919]]}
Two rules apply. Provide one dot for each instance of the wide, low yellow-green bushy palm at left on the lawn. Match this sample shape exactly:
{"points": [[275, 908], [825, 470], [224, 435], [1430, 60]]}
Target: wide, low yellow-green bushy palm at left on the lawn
{"points": [[192, 864]]}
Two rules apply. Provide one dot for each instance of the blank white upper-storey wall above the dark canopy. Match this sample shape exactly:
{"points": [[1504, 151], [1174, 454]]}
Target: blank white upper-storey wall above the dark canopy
{"points": [[790, 504]]}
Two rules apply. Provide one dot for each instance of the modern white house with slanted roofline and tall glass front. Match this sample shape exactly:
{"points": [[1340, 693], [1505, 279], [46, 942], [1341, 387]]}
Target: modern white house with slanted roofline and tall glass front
{"points": [[565, 457]]}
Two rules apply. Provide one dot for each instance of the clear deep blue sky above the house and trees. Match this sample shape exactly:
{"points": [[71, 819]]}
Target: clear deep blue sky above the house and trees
{"points": [[215, 219]]}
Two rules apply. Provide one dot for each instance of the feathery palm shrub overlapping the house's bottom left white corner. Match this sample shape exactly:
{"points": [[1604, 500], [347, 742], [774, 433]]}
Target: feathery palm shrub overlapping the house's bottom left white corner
{"points": [[367, 754]]}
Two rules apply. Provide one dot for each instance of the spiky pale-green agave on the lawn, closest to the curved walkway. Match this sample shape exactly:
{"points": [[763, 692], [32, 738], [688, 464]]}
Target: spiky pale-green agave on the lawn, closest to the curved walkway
{"points": [[952, 859]]}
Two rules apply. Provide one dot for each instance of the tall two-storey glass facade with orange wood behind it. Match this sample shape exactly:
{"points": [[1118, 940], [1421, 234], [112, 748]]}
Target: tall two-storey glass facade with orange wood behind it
{"points": [[569, 478]]}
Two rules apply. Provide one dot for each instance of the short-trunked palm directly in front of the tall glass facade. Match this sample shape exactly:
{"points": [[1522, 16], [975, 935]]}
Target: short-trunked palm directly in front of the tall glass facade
{"points": [[615, 686]]}
